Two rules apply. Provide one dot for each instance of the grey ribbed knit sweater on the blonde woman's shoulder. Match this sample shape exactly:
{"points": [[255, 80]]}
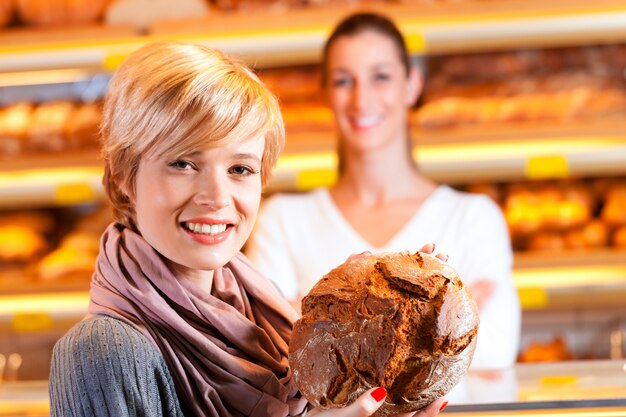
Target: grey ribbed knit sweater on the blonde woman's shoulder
{"points": [[104, 367]]}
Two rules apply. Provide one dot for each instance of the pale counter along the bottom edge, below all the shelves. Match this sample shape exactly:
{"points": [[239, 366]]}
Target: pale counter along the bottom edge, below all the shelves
{"points": [[584, 389]]}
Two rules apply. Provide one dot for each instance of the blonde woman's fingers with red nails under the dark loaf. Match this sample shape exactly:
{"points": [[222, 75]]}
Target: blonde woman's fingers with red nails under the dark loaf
{"points": [[370, 401]]}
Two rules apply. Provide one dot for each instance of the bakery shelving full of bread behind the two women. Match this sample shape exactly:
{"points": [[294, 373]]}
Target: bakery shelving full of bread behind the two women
{"points": [[540, 129]]}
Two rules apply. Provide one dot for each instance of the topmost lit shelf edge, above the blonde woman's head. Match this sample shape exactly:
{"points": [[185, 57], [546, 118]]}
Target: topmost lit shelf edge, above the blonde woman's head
{"points": [[266, 38]]}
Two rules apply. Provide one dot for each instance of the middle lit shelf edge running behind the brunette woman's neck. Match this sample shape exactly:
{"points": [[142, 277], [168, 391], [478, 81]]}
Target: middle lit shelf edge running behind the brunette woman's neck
{"points": [[458, 156]]}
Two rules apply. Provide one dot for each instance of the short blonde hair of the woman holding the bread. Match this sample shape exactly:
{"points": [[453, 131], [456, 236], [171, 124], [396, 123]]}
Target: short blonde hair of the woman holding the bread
{"points": [[169, 98]]}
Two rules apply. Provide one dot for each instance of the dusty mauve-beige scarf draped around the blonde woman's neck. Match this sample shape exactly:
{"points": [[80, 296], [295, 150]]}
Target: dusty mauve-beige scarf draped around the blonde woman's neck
{"points": [[227, 351]]}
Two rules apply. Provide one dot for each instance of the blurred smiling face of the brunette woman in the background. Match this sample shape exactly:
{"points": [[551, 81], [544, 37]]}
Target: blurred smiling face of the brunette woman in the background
{"points": [[368, 90]]}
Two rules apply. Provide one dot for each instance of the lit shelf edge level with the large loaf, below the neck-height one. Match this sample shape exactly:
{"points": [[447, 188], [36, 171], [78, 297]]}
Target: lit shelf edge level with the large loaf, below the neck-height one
{"points": [[586, 279]]}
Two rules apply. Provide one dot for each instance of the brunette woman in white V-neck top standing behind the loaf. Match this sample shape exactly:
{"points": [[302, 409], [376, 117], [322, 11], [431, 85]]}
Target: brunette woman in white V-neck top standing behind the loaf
{"points": [[381, 202]]}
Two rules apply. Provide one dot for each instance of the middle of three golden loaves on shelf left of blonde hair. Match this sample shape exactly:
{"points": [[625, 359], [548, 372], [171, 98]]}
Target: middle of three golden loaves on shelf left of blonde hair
{"points": [[47, 130]]}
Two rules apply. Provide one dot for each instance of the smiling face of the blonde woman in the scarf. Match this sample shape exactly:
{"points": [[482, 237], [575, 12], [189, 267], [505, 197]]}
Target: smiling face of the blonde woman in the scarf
{"points": [[198, 210]]}
